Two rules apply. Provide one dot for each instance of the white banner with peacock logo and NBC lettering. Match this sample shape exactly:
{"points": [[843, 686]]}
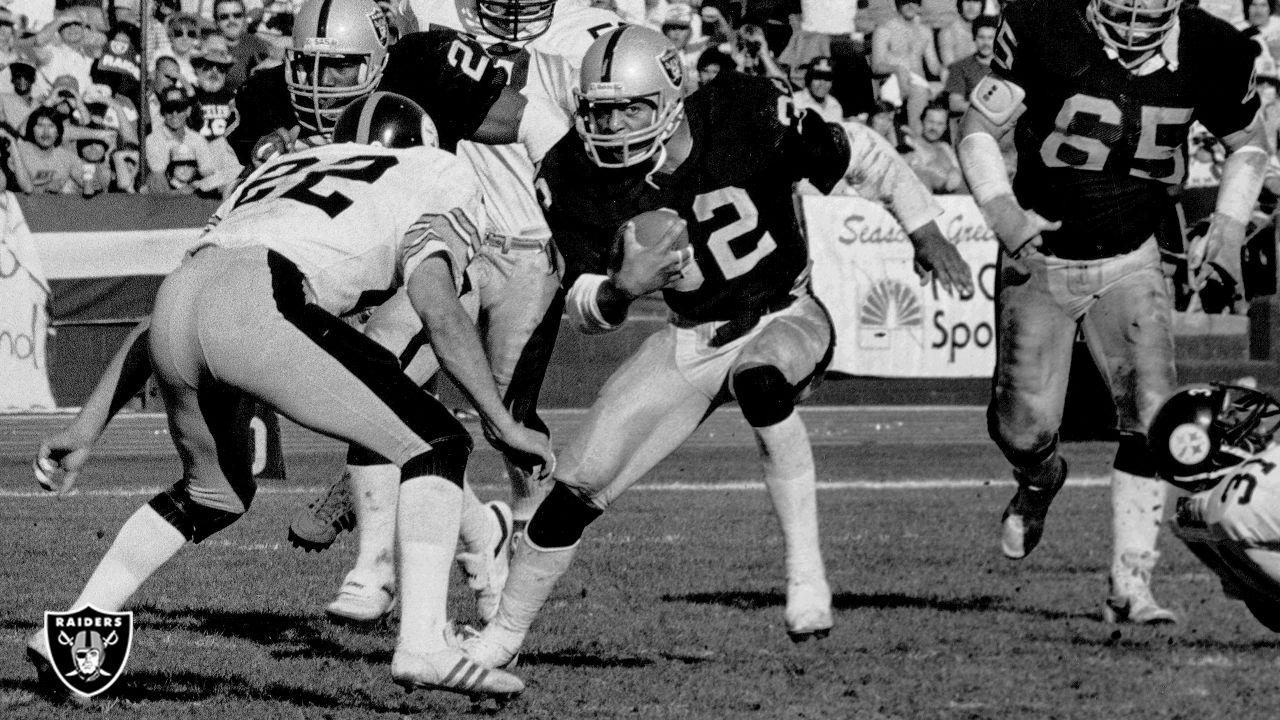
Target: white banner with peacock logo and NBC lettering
{"points": [[886, 323]]}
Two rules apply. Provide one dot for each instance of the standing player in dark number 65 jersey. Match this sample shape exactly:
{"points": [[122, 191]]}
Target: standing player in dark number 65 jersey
{"points": [[1100, 95]]}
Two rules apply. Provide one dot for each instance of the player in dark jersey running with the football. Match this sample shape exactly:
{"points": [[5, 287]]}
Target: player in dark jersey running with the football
{"points": [[746, 325]]}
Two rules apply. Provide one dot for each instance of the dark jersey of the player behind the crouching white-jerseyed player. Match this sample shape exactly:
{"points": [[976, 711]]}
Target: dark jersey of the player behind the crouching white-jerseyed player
{"points": [[442, 70]]}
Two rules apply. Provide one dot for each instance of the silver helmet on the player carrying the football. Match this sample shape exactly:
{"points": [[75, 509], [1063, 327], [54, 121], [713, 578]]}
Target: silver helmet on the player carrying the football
{"points": [[623, 67]]}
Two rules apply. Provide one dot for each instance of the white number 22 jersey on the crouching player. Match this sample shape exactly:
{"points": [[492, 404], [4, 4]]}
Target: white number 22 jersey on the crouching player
{"points": [[356, 220]]}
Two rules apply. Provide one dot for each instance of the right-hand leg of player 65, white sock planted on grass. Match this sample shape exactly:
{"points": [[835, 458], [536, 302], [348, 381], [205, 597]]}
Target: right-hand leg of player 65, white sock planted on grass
{"points": [[1130, 332]]}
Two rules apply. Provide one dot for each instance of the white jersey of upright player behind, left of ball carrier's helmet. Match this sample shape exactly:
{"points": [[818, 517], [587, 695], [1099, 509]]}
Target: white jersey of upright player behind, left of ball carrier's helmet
{"points": [[546, 69]]}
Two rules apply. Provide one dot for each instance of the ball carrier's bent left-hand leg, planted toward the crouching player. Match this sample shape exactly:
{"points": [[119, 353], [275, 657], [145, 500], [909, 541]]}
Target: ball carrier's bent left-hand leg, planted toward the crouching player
{"points": [[644, 412]]}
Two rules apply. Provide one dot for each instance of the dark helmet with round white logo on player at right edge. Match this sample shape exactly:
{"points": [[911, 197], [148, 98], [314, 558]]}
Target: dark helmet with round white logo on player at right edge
{"points": [[1204, 431]]}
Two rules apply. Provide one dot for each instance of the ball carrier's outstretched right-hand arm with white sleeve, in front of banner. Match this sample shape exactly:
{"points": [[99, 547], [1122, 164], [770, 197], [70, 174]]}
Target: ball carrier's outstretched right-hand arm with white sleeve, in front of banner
{"points": [[892, 181]]}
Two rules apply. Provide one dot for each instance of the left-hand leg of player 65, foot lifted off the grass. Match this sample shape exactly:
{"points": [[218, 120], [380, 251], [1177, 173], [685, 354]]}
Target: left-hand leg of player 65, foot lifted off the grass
{"points": [[1034, 363]]}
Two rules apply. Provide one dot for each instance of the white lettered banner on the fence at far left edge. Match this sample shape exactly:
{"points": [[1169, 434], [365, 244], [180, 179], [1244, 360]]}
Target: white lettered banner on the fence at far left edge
{"points": [[24, 320]]}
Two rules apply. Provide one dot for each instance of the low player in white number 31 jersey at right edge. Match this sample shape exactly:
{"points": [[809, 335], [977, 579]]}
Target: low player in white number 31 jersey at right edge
{"points": [[1218, 444]]}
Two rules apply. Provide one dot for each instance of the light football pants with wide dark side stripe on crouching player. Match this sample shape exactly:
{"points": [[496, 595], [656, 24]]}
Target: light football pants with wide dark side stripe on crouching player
{"points": [[236, 322]]}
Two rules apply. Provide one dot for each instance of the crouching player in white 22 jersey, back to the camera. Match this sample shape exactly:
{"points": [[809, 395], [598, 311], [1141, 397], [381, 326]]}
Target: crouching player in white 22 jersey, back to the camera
{"points": [[255, 312]]}
